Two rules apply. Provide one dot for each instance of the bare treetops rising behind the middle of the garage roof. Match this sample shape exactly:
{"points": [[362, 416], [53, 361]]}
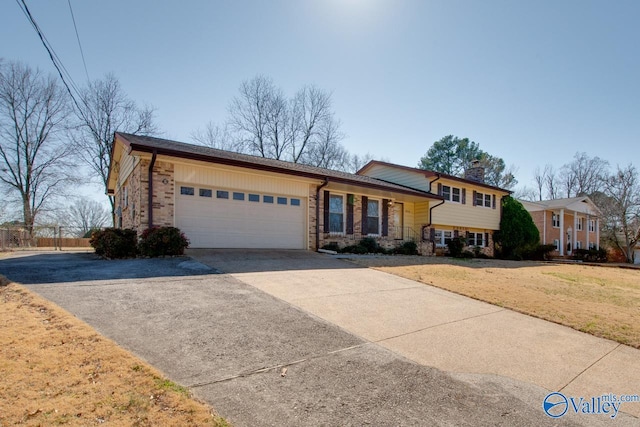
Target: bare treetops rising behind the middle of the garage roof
{"points": [[301, 130]]}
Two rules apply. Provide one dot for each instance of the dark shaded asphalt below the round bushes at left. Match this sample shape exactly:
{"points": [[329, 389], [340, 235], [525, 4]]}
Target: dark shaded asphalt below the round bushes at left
{"points": [[58, 267]]}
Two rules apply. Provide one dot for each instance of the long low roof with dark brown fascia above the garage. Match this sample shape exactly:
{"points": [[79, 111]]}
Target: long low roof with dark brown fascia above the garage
{"points": [[212, 155]]}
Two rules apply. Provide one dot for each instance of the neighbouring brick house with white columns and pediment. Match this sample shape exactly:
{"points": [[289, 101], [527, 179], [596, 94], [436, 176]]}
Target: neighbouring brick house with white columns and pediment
{"points": [[568, 224]]}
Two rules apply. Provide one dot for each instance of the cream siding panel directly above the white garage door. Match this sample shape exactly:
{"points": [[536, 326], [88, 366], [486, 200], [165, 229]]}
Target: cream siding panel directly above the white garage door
{"points": [[236, 178]]}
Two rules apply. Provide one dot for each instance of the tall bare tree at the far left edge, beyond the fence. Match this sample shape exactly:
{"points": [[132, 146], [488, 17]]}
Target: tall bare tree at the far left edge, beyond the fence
{"points": [[33, 113]]}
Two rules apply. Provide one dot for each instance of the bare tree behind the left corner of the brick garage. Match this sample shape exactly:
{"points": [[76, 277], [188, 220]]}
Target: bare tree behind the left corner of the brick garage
{"points": [[105, 110]]}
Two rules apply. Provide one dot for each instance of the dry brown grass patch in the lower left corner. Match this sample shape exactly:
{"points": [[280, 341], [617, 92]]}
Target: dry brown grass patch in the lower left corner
{"points": [[55, 369]]}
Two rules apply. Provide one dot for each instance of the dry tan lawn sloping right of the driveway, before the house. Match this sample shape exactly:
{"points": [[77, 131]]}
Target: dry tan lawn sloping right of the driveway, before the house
{"points": [[601, 301]]}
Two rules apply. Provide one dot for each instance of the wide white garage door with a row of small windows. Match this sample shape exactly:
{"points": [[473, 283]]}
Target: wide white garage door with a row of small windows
{"points": [[213, 218]]}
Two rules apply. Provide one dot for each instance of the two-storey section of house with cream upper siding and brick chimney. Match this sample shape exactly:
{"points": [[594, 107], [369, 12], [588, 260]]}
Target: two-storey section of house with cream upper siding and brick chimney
{"points": [[470, 208]]}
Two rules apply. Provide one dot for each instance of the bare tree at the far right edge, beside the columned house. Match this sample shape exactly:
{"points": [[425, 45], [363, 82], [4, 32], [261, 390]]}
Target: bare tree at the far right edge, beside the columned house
{"points": [[622, 210]]}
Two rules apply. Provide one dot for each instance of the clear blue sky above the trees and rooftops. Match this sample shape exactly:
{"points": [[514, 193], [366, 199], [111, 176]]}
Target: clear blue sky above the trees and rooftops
{"points": [[531, 82]]}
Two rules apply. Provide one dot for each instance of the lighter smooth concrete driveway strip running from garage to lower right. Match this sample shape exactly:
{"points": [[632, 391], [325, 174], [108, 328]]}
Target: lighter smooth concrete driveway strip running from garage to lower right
{"points": [[438, 328]]}
